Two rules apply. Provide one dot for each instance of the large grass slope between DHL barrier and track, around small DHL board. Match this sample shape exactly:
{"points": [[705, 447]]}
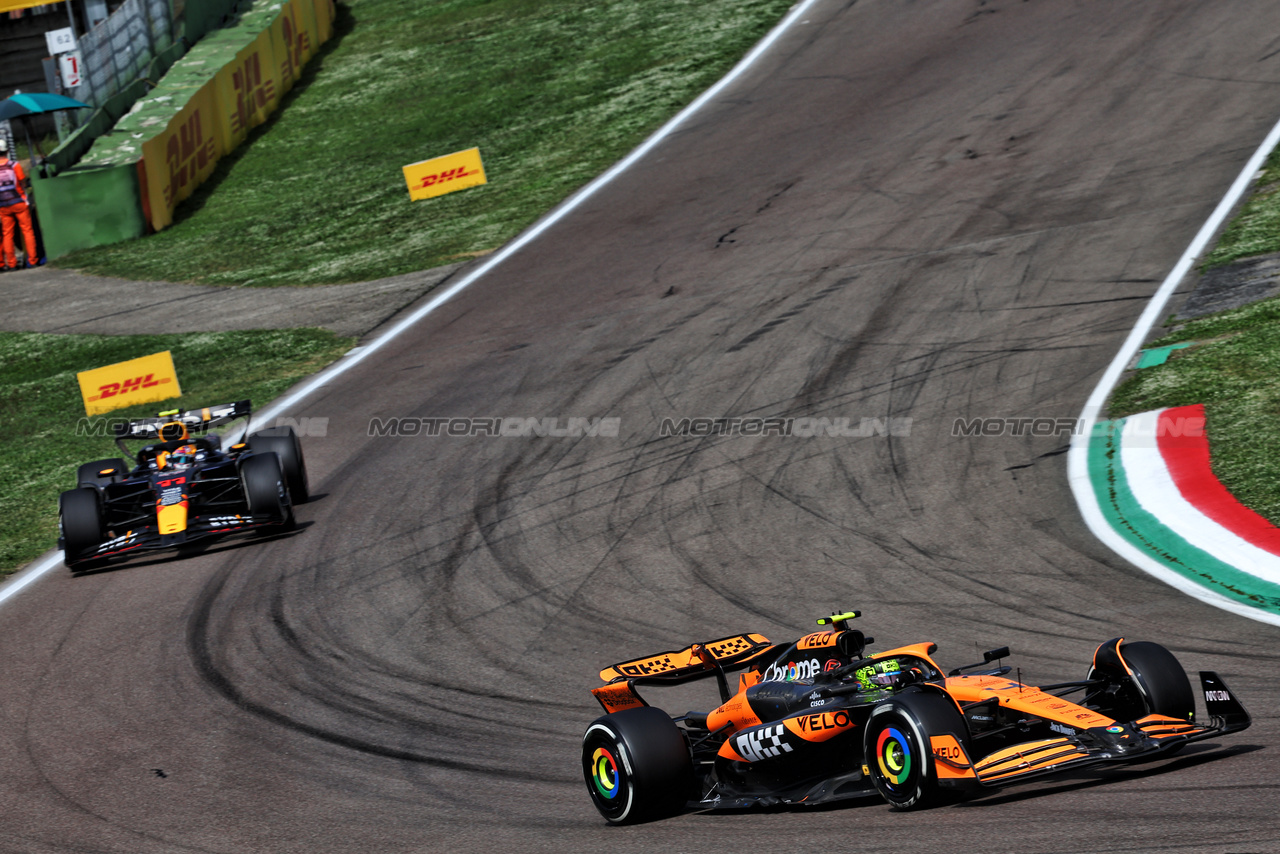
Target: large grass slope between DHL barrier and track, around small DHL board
{"points": [[552, 92]]}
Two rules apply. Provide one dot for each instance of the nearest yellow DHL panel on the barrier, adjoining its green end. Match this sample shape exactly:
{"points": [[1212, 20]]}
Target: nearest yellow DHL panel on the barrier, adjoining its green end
{"points": [[181, 158]]}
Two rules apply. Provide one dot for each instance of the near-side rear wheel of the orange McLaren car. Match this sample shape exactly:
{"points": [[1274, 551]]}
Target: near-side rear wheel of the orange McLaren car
{"points": [[637, 766]]}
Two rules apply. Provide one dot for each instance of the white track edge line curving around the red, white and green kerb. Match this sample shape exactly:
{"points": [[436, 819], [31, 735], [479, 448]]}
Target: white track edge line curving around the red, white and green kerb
{"points": [[1078, 458]]}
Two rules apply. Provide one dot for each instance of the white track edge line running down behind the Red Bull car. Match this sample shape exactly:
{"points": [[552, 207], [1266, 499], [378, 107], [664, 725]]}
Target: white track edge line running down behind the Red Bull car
{"points": [[24, 578]]}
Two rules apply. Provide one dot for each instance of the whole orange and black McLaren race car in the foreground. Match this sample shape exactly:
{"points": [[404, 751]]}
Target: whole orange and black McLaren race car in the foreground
{"points": [[820, 720]]}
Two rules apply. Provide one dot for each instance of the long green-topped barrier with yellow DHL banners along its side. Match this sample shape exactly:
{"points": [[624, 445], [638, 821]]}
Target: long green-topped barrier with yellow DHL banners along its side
{"points": [[124, 173]]}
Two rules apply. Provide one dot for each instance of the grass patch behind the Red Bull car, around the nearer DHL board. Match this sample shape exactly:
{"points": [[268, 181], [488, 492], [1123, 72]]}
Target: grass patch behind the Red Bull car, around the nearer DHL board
{"points": [[40, 407]]}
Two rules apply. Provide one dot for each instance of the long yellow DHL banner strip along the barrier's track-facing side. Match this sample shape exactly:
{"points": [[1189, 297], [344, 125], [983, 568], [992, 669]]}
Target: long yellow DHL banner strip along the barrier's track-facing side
{"points": [[240, 98]]}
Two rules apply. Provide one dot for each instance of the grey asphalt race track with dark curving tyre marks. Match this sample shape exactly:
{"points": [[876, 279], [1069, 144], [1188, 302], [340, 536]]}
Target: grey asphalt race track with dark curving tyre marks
{"points": [[930, 211]]}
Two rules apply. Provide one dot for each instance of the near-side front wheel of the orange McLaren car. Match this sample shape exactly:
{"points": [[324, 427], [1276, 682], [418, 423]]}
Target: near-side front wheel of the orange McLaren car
{"points": [[898, 751]]}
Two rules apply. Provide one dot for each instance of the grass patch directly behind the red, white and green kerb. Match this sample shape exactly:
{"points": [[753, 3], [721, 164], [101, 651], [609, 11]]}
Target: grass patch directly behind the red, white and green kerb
{"points": [[1235, 371]]}
